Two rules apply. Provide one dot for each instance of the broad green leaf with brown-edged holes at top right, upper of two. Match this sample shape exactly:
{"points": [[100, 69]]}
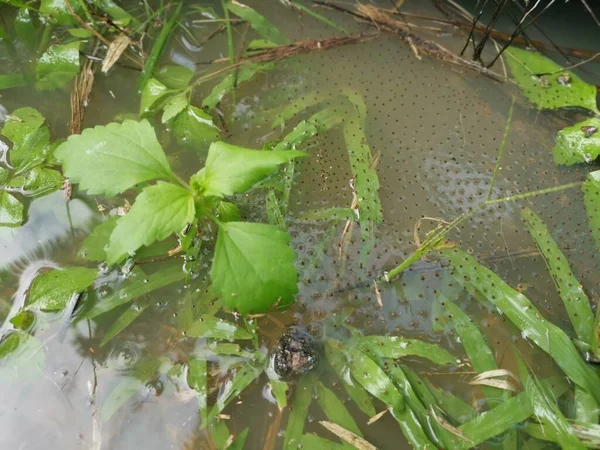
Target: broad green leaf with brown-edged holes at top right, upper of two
{"points": [[554, 91]]}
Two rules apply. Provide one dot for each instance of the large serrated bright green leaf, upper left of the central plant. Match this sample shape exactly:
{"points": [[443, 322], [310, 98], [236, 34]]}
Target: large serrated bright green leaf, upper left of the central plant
{"points": [[110, 159]]}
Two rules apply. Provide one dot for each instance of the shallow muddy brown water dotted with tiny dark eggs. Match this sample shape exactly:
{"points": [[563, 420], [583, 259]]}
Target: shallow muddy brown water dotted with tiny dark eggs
{"points": [[434, 129]]}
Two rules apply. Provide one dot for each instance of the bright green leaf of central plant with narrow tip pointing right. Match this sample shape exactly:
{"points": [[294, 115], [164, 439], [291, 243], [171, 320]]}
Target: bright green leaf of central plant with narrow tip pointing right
{"points": [[232, 170]]}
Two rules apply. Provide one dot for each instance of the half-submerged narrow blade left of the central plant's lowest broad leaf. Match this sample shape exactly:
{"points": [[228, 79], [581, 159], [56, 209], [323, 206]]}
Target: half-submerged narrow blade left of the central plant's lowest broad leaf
{"points": [[138, 286]]}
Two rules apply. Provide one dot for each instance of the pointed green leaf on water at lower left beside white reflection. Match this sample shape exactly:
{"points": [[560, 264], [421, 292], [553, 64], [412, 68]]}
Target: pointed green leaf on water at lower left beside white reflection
{"points": [[52, 290]]}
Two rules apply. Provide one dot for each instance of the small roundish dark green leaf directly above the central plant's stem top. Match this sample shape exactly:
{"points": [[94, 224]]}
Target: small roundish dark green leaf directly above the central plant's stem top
{"points": [[194, 128]]}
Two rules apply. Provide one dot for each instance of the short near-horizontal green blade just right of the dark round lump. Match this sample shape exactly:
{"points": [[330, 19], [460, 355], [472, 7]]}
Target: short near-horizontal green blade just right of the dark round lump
{"points": [[395, 347]]}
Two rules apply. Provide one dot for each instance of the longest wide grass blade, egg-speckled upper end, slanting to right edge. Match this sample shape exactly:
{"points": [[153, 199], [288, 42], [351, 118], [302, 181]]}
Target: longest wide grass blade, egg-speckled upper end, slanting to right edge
{"points": [[525, 317]]}
